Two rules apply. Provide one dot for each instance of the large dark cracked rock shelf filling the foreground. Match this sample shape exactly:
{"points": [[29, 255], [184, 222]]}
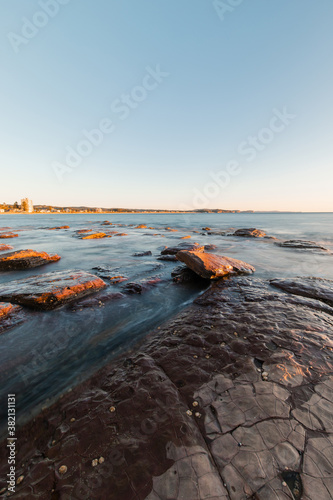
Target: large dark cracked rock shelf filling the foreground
{"points": [[232, 399]]}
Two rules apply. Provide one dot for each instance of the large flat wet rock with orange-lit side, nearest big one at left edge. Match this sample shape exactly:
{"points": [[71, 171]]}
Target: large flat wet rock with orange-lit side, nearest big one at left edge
{"points": [[50, 290]]}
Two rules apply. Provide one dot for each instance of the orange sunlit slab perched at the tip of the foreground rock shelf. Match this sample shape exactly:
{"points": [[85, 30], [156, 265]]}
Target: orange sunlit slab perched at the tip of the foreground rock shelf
{"points": [[210, 266]]}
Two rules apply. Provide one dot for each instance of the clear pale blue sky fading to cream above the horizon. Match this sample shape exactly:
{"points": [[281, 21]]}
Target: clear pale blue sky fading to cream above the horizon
{"points": [[167, 104]]}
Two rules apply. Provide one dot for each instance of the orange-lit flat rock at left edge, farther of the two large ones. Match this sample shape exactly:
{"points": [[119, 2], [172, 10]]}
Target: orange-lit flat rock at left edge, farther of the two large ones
{"points": [[25, 259]]}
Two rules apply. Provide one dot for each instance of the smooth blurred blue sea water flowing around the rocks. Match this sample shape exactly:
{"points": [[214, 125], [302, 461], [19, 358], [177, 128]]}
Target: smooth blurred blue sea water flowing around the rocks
{"points": [[51, 351]]}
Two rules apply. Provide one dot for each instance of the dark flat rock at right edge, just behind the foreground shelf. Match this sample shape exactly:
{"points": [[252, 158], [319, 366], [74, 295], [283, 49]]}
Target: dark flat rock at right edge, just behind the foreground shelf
{"points": [[314, 288]]}
